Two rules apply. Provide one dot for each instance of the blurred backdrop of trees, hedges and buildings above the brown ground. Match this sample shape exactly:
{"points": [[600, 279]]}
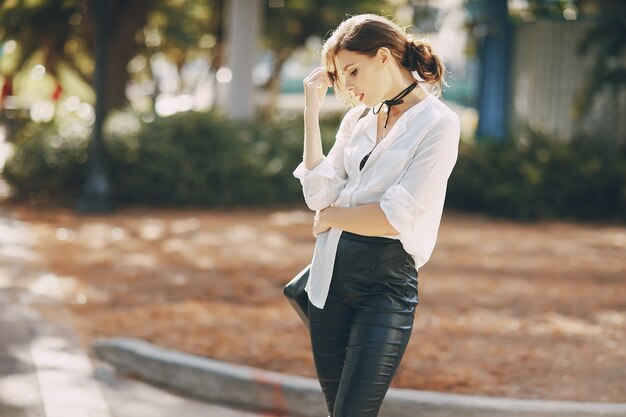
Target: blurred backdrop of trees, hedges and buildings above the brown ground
{"points": [[542, 79]]}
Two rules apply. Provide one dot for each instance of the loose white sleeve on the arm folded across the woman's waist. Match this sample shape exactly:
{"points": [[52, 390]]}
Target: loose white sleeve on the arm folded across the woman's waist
{"points": [[414, 205]]}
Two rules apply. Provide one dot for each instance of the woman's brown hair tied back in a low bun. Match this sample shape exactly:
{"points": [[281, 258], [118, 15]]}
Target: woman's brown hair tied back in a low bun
{"points": [[365, 34]]}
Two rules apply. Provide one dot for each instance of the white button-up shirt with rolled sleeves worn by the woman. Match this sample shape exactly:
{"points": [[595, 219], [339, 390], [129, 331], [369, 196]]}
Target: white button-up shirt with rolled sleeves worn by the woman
{"points": [[407, 173]]}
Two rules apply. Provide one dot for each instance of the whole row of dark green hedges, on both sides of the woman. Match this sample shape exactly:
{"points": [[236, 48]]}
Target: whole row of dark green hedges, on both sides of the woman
{"points": [[201, 159]]}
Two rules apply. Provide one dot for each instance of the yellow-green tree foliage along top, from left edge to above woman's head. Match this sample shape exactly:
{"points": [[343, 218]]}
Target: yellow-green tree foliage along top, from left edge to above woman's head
{"points": [[47, 30]]}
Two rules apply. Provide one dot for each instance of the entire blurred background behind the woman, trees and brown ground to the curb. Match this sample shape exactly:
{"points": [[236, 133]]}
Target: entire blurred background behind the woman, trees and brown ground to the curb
{"points": [[148, 147]]}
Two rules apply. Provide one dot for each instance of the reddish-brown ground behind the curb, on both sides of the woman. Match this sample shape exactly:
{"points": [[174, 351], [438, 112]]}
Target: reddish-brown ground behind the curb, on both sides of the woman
{"points": [[506, 309]]}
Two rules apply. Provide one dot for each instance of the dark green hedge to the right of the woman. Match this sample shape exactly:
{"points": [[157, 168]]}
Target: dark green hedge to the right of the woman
{"points": [[540, 178]]}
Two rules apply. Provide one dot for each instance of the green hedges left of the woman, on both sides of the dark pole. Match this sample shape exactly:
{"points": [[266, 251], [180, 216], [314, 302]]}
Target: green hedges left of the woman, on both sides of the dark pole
{"points": [[190, 158]]}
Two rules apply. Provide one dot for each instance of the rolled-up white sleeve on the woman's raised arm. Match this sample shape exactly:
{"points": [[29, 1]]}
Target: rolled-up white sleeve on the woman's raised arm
{"points": [[322, 185]]}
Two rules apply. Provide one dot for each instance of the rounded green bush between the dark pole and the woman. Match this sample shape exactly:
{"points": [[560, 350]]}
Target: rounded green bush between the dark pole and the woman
{"points": [[199, 159]]}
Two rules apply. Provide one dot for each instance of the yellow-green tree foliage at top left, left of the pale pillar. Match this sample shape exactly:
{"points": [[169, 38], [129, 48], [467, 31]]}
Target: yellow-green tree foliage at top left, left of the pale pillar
{"points": [[47, 30]]}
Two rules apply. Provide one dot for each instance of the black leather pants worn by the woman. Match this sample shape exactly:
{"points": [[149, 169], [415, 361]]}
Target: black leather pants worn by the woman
{"points": [[360, 335]]}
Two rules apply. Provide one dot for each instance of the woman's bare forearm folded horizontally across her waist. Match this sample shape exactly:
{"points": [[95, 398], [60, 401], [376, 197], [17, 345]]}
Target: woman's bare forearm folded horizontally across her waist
{"points": [[366, 220]]}
